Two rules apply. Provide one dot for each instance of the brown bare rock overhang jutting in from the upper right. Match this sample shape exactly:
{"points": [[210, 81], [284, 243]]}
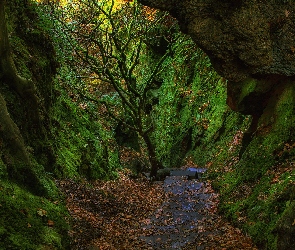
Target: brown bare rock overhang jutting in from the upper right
{"points": [[246, 40]]}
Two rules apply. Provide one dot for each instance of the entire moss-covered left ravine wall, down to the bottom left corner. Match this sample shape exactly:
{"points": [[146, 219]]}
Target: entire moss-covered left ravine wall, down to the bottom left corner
{"points": [[51, 136]]}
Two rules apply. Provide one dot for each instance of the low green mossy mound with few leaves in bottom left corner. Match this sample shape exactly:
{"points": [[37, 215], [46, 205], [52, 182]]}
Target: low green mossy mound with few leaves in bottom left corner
{"points": [[24, 220]]}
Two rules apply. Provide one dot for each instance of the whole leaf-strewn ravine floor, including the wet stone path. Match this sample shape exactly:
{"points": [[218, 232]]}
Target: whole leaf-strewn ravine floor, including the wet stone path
{"points": [[133, 214]]}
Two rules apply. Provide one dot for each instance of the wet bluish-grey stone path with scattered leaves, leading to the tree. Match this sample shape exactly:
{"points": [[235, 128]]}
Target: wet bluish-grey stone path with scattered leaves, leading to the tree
{"points": [[175, 223]]}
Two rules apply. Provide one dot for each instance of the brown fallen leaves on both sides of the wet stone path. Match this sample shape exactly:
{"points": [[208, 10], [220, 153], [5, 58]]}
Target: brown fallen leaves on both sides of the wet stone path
{"points": [[113, 215]]}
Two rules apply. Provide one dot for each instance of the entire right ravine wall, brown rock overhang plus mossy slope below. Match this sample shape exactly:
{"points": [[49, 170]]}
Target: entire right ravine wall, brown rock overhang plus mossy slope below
{"points": [[251, 44]]}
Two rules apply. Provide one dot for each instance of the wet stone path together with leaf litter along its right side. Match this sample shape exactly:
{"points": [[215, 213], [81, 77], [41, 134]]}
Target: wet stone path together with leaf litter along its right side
{"points": [[187, 219]]}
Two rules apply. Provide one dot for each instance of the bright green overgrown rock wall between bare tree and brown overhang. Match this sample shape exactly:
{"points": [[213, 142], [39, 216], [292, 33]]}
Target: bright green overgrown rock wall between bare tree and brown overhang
{"points": [[192, 115]]}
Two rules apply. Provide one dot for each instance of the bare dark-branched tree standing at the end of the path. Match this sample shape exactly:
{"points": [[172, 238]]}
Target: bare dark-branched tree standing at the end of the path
{"points": [[110, 43]]}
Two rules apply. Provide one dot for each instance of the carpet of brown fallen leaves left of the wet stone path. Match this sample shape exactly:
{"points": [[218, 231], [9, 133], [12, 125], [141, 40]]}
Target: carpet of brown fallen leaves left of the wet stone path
{"points": [[108, 214]]}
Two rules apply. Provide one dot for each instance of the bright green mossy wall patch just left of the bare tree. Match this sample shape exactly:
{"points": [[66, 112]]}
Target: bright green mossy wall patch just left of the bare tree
{"points": [[82, 146]]}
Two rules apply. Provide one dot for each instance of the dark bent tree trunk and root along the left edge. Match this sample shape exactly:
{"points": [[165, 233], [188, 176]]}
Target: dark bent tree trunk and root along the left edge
{"points": [[15, 155]]}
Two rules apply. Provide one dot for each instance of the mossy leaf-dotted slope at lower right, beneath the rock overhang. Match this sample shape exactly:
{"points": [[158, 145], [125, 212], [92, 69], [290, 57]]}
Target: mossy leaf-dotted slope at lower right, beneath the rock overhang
{"points": [[249, 195]]}
